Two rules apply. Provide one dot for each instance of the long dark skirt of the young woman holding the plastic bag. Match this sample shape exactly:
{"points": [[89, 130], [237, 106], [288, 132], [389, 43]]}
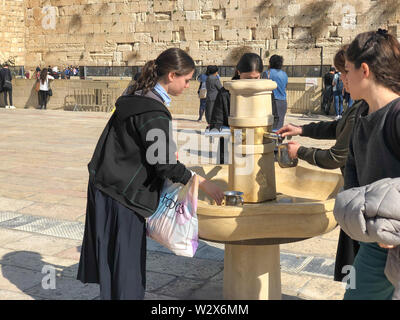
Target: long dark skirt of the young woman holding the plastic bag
{"points": [[113, 251]]}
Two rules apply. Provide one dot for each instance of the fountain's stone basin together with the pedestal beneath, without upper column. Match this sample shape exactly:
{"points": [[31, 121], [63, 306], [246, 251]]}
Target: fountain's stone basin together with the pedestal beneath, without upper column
{"points": [[252, 233]]}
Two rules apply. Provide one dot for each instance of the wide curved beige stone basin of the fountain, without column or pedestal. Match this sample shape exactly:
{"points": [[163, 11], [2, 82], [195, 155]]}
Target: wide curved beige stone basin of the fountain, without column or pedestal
{"points": [[303, 208]]}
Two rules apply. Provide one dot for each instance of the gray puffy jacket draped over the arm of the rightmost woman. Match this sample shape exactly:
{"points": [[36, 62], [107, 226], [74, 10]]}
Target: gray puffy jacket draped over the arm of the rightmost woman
{"points": [[372, 214]]}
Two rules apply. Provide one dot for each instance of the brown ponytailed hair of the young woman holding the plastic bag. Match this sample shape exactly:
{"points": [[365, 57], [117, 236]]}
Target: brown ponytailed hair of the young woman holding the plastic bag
{"points": [[171, 60]]}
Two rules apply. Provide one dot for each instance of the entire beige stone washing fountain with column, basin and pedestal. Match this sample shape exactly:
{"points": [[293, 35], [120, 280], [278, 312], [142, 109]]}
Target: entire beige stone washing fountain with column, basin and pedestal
{"points": [[280, 205]]}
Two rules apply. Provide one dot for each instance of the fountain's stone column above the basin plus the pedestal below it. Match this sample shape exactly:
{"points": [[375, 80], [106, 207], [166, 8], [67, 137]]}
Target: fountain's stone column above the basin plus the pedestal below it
{"points": [[252, 171]]}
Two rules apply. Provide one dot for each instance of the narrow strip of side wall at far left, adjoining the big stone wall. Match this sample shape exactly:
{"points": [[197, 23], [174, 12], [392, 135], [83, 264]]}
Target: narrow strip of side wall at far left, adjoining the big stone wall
{"points": [[12, 31]]}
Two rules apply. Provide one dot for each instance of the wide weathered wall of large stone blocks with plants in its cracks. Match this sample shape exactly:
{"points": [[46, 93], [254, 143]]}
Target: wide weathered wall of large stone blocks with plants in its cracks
{"points": [[130, 32]]}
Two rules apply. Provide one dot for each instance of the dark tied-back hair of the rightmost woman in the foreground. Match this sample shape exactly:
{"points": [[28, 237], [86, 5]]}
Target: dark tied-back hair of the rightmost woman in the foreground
{"points": [[381, 52]]}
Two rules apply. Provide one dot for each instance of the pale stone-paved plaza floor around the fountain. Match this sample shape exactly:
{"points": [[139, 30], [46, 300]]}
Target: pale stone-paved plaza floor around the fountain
{"points": [[43, 179]]}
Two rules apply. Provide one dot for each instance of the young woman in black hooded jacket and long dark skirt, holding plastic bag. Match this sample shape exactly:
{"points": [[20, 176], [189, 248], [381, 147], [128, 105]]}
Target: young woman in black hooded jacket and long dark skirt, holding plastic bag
{"points": [[125, 184]]}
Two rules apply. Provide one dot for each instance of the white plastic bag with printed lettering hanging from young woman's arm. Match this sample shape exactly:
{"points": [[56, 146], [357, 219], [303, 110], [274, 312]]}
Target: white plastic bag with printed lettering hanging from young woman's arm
{"points": [[174, 224]]}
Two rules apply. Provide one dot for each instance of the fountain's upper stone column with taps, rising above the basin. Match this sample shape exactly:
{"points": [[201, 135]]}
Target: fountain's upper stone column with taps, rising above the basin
{"points": [[252, 168]]}
